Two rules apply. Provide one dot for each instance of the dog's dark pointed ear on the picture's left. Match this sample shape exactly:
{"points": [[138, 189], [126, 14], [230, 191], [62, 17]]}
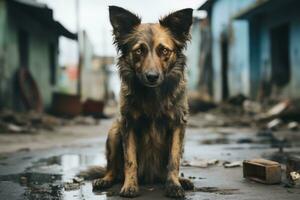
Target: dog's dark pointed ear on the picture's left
{"points": [[122, 20]]}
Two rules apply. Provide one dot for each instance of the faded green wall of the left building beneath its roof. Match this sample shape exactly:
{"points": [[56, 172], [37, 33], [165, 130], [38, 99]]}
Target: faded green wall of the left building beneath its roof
{"points": [[40, 39]]}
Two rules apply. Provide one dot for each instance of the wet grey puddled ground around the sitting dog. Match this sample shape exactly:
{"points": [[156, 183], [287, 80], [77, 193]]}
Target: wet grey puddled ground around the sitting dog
{"points": [[40, 173]]}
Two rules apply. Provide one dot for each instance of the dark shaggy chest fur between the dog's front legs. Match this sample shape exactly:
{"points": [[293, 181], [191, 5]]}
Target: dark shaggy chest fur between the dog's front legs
{"points": [[153, 117]]}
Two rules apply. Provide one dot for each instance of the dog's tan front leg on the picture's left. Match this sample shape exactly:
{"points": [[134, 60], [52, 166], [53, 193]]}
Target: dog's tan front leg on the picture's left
{"points": [[130, 187]]}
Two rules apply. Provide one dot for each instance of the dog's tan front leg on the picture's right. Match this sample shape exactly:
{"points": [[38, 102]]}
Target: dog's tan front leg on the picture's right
{"points": [[173, 186]]}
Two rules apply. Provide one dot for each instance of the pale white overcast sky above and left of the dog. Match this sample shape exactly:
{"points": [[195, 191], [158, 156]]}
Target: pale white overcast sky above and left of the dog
{"points": [[94, 19]]}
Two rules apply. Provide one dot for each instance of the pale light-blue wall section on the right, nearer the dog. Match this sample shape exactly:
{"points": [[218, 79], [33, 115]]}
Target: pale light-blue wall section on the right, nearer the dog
{"points": [[237, 31]]}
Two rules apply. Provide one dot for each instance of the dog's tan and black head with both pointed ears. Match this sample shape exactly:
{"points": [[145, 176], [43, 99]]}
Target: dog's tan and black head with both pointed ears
{"points": [[150, 49]]}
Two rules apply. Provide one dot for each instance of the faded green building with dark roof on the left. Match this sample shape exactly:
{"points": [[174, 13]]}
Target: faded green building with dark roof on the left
{"points": [[28, 40]]}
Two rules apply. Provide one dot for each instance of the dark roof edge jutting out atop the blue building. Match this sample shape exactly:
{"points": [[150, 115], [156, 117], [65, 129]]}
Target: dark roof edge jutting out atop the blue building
{"points": [[260, 7]]}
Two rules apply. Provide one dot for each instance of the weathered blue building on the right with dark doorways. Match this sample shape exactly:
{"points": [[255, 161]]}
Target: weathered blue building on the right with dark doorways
{"points": [[255, 45]]}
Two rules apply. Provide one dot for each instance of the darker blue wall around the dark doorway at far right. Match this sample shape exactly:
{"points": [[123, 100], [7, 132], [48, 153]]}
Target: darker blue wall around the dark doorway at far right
{"points": [[261, 47]]}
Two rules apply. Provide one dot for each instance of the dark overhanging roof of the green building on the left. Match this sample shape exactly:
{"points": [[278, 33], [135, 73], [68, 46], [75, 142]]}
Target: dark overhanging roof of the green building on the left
{"points": [[42, 13]]}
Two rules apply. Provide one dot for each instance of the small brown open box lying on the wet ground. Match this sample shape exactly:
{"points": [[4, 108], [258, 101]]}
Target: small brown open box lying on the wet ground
{"points": [[263, 171]]}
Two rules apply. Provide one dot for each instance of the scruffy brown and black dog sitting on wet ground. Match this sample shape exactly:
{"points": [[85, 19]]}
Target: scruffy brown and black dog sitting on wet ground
{"points": [[145, 143]]}
